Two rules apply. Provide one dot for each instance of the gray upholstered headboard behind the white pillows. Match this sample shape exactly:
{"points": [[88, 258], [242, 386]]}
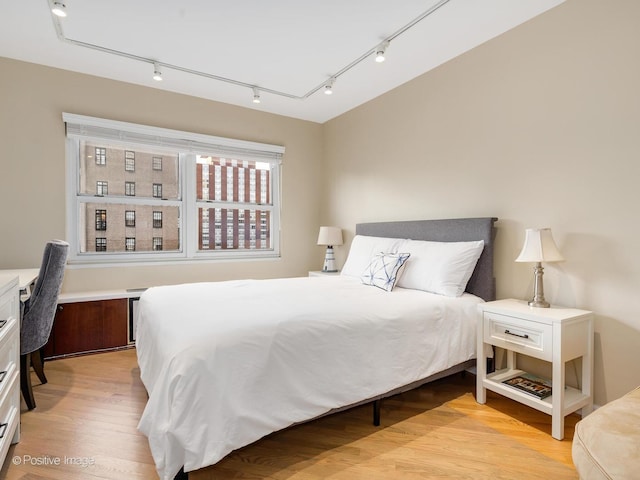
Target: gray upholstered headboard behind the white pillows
{"points": [[482, 282]]}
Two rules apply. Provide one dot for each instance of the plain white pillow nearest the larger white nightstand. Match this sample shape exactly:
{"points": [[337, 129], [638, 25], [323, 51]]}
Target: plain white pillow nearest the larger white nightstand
{"points": [[440, 267]]}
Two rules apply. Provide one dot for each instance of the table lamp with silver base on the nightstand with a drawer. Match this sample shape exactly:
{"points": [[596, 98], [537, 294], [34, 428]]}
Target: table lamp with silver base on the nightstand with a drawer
{"points": [[539, 247]]}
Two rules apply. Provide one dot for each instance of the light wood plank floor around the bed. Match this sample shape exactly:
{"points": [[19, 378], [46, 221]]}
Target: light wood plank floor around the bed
{"points": [[85, 428]]}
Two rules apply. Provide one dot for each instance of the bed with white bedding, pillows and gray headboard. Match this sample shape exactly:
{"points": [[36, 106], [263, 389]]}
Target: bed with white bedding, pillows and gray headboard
{"points": [[226, 363]]}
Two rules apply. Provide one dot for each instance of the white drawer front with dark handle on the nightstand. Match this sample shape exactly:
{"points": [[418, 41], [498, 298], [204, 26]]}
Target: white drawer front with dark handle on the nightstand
{"points": [[518, 335]]}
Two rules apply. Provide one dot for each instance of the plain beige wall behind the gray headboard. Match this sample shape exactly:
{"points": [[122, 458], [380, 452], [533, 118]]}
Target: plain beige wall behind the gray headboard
{"points": [[539, 127]]}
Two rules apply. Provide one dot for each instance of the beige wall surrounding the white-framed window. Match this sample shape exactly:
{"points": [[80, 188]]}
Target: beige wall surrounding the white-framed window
{"points": [[32, 178]]}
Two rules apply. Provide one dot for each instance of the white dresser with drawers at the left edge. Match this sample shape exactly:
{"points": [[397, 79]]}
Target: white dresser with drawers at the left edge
{"points": [[9, 363]]}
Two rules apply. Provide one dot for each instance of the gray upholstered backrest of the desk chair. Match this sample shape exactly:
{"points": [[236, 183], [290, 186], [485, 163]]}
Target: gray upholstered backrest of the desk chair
{"points": [[40, 309]]}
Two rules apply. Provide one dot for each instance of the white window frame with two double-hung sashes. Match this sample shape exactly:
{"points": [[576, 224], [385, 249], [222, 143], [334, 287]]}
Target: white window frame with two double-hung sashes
{"points": [[187, 145]]}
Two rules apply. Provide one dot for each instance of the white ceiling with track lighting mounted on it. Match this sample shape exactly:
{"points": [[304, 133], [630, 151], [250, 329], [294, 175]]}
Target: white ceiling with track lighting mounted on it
{"points": [[288, 49]]}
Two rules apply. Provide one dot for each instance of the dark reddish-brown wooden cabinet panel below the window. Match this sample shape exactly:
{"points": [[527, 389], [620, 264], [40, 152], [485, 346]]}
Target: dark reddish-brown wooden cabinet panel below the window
{"points": [[84, 327]]}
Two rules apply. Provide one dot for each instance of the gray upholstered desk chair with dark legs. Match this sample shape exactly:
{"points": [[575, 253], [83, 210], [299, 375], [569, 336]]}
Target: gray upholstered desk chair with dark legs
{"points": [[38, 313]]}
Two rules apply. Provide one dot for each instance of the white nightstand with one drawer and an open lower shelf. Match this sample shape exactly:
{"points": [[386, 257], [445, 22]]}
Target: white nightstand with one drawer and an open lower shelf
{"points": [[556, 335]]}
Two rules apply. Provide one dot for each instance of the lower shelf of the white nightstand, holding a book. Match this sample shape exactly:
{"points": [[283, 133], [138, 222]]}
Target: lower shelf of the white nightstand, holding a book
{"points": [[574, 399]]}
